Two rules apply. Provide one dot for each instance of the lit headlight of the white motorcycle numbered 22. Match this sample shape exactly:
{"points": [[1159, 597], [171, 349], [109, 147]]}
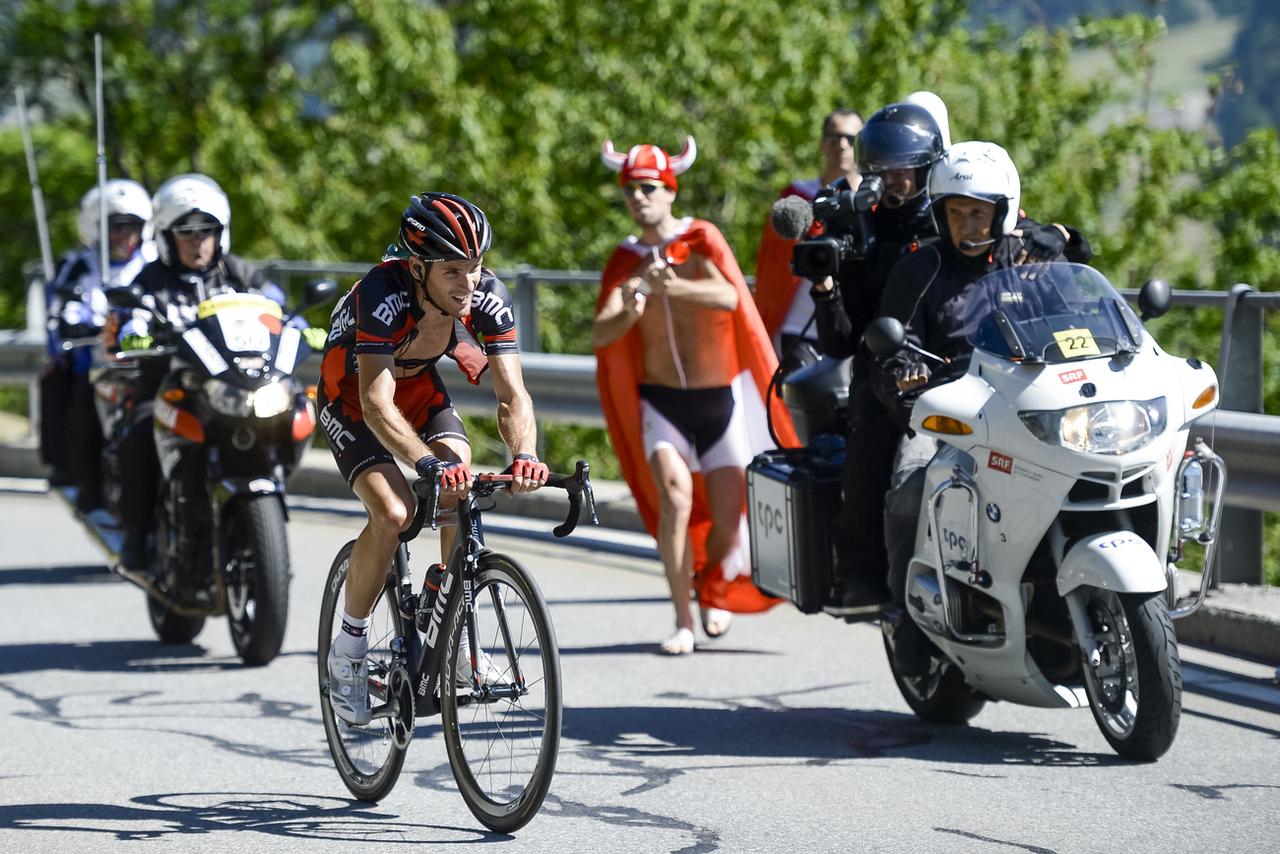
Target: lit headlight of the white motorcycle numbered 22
{"points": [[1110, 427]]}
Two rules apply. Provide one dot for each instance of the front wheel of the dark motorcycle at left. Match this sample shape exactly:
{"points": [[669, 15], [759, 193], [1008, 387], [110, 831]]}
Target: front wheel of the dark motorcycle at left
{"points": [[258, 578]]}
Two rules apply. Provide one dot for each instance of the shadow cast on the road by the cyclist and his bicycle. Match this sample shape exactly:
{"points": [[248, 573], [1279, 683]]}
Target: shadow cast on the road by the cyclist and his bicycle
{"points": [[295, 816]]}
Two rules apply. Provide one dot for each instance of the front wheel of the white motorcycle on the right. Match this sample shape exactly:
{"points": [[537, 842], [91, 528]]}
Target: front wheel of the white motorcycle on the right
{"points": [[1136, 688]]}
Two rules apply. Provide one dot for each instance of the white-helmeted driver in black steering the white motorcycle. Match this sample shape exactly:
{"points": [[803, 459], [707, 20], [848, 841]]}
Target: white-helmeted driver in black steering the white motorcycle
{"points": [[976, 193]]}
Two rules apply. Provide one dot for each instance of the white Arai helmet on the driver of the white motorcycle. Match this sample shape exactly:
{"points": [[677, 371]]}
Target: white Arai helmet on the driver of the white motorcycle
{"points": [[980, 171]]}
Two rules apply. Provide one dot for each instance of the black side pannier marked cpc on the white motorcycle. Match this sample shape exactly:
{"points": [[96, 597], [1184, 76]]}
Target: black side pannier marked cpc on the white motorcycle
{"points": [[793, 503]]}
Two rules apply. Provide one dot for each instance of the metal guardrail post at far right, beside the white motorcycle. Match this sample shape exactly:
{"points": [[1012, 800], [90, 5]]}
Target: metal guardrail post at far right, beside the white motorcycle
{"points": [[1240, 371]]}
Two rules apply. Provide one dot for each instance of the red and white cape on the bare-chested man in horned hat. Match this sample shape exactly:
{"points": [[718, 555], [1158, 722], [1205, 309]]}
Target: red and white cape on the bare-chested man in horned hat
{"points": [[619, 369]]}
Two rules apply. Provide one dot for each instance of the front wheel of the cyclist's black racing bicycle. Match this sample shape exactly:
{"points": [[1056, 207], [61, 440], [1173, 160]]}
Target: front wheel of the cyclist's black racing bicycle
{"points": [[501, 706]]}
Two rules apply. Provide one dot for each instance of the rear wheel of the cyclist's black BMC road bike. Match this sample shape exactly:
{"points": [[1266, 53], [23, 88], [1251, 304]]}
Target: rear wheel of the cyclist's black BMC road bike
{"points": [[369, 759]]}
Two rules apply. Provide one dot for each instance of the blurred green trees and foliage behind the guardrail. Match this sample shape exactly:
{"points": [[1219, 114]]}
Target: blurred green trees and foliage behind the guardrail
{"points": [[1153, 130]]}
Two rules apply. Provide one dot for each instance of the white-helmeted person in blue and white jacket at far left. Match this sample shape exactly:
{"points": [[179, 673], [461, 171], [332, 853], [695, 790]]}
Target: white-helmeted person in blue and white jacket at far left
{"points": [[77, 309]]}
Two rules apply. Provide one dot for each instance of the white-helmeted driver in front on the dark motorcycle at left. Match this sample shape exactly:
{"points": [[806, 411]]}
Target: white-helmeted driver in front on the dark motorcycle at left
{"points": [[193, 227]]}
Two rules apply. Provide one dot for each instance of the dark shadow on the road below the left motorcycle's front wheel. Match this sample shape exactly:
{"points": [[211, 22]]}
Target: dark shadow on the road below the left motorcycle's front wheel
{"points": [[116, 657]]}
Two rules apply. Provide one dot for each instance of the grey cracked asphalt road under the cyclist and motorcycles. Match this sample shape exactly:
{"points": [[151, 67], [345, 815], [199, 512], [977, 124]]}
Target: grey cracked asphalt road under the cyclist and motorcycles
{"points": [[788, 734]]}
